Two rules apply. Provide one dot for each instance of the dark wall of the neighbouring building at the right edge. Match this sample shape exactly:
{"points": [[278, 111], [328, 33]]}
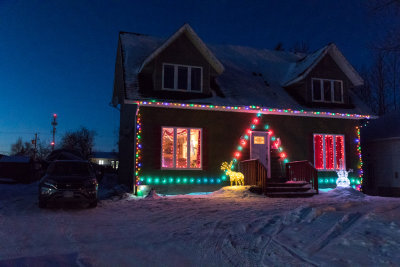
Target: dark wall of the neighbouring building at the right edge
{"points": [[382, 169]]}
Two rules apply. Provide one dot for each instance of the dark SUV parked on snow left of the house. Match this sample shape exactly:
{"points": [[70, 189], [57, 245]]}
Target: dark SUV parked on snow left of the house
{"points": [[68, 180]]}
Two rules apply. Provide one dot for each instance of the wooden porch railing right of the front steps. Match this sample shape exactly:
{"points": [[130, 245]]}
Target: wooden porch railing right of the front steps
{"points": [[302, 171]]}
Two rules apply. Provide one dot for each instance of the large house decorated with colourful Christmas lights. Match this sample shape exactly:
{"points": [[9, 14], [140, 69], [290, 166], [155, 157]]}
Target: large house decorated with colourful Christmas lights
{"points": [[186, 107]]}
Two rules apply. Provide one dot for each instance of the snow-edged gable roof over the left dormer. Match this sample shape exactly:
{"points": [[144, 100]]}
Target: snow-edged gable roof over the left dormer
{"points": [[197, 42]]}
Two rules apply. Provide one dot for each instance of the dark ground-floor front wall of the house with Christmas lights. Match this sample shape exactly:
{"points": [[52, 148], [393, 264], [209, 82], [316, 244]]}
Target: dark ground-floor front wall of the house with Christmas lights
{"points": [[221, 134]]}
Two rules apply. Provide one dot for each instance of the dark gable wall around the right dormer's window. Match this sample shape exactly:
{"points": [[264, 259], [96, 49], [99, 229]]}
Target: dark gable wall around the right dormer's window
{"points": [[325, 69]]}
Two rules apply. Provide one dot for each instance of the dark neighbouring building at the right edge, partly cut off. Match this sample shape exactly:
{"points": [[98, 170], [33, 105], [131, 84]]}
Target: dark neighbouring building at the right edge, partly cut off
{"points": [[381, 154]]}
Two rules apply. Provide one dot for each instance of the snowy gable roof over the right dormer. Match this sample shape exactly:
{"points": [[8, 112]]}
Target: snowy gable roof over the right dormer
{"points": [[302, 68]]}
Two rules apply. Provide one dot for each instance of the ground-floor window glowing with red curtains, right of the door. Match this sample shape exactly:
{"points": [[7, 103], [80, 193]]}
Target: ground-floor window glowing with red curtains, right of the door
{"points": [[329, 152]]}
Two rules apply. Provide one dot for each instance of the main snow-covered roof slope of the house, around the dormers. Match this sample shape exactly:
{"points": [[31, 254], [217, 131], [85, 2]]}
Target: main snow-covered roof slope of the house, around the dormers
{"points": [[251, 76]]}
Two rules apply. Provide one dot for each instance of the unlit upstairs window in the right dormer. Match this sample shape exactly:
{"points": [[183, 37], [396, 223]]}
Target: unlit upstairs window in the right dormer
{"points": [[325, 90]]}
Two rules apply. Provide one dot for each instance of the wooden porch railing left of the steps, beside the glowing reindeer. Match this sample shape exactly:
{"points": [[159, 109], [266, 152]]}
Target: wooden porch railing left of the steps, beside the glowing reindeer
{"points": [[254, 173]]}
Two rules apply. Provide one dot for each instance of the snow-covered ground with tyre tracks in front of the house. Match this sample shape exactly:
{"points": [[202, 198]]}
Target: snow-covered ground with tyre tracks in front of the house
{"points": [[229, 227]]}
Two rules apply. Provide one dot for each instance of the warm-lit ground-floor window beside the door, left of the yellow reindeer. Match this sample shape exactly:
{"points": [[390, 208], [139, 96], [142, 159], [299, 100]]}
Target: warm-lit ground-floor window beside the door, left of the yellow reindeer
{"points": [[181, 148]]}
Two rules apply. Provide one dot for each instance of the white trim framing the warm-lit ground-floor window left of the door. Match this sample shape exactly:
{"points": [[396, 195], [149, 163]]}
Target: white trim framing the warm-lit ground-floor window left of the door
{"points": [[188, 148]]}
